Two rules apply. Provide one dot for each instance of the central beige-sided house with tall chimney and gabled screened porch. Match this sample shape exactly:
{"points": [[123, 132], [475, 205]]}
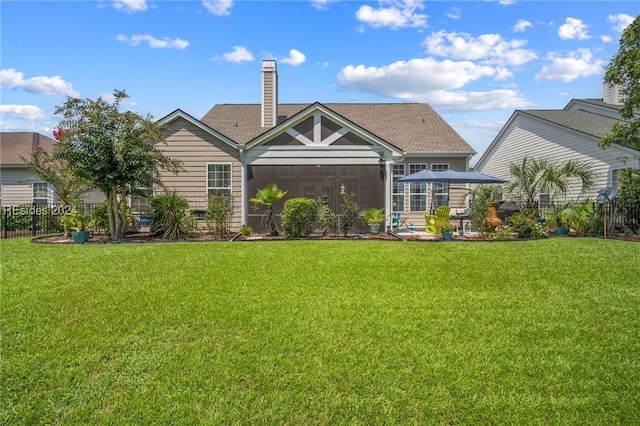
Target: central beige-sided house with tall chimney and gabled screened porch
{"points": [[317, 150]]}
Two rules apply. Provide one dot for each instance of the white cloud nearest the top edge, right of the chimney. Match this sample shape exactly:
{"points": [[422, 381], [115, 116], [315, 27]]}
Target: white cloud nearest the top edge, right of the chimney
{"points": [[398, 14]]}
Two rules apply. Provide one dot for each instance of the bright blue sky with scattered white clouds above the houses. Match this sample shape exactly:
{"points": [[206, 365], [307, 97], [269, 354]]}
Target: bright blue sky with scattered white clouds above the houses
{"points": [[474, 62]]}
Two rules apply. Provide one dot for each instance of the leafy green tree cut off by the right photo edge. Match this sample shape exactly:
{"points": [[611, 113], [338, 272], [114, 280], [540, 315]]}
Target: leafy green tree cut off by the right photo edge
{"points": [[624, 71]]}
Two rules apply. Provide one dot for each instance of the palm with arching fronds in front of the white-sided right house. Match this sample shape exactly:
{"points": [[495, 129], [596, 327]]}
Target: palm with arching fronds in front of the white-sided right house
{"points": [[532, 176]]}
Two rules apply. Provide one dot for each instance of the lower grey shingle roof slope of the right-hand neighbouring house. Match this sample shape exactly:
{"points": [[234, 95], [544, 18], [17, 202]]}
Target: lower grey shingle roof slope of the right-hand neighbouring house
{"points": [[582, 121]]}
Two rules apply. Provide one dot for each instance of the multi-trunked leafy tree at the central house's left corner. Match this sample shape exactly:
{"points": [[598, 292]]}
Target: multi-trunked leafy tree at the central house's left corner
{"points": [[113, 151]]}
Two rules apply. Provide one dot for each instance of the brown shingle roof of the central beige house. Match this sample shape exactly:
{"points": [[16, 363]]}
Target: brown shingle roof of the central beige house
{"points": [[409, 127]]}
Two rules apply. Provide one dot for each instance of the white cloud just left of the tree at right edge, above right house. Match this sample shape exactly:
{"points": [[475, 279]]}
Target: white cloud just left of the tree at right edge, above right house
{"points": [[580, 63]]}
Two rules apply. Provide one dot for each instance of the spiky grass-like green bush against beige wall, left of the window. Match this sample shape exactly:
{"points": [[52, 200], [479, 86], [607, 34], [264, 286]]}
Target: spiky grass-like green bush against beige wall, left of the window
{"points": [[170, 216]]}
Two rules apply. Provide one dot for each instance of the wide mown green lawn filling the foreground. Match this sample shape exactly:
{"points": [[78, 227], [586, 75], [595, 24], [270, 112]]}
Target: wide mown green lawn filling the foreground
{"points": [[322, 332]]}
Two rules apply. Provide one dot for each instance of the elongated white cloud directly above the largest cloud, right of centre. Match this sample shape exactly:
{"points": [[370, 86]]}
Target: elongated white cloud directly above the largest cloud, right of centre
{"points": [[491, 48]]}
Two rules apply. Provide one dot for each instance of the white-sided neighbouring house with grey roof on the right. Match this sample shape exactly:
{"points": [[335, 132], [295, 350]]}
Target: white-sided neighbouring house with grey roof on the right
{"points": [[570, 133]]}
